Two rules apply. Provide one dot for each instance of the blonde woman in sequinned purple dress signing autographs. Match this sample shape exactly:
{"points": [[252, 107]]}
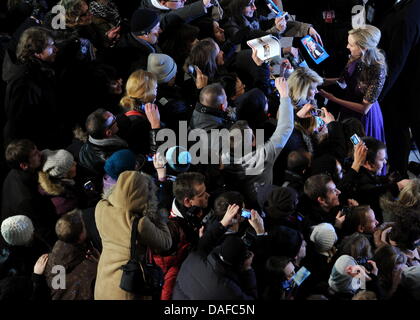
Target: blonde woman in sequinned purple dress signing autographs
{"points": [[363, 80]]}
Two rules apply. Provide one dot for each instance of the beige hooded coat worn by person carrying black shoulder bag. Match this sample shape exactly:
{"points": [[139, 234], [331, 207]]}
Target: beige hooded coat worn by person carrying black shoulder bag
{"points": [[114, 217]]}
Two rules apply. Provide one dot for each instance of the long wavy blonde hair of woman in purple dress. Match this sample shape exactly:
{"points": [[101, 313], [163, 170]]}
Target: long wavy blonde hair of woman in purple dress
{"points": [[367, 38]]}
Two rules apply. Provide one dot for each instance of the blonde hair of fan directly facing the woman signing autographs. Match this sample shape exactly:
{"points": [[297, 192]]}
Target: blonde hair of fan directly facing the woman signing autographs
{"points": [[299, 83]]}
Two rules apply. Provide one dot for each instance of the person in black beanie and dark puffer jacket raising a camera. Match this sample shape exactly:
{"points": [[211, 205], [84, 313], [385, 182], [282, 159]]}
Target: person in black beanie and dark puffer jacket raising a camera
{"points": [[223, 272]]}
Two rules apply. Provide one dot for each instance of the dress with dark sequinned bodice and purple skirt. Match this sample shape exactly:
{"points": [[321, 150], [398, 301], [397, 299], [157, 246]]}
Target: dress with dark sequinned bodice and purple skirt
{"points": [[357, 90]]}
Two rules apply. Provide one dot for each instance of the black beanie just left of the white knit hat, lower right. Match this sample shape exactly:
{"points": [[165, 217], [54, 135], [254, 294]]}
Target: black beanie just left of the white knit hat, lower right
{"points": [[285, 241]]}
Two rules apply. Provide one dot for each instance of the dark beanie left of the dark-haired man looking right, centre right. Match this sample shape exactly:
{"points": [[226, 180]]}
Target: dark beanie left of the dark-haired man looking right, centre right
{"points": [[277, 202]]}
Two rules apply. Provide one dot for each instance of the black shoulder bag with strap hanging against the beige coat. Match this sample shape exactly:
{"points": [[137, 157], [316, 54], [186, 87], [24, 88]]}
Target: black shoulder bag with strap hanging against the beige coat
{"points": [[141, 276]]}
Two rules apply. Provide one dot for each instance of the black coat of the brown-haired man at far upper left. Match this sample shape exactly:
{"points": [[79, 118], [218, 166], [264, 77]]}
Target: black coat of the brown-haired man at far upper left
{"points": [[30, 103]]}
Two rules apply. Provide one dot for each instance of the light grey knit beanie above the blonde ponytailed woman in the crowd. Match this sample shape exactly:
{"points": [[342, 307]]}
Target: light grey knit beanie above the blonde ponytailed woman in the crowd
{"points": [[162, 65]]}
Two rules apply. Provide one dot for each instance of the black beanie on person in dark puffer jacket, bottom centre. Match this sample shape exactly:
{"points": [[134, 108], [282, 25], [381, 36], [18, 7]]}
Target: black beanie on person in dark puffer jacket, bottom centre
{"points": [[233, 251]]}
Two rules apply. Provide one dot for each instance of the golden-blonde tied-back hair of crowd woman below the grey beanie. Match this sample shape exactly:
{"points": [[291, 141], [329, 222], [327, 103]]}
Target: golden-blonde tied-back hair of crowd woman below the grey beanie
{"points": [[140, 88]]}
